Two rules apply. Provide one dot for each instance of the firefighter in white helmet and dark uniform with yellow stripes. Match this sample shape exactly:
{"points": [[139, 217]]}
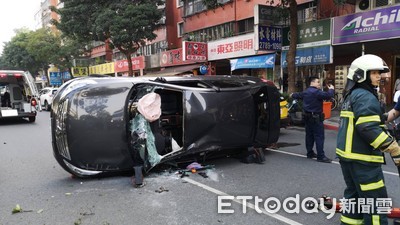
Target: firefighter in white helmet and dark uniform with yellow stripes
{"points": [[361, 142]]}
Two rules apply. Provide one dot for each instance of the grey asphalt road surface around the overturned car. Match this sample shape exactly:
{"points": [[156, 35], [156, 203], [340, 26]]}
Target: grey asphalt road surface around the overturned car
{"points": [[30, 177]]}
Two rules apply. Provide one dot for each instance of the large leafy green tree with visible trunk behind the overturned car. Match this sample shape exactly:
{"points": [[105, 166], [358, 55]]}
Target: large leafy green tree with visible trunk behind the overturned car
{"points": [[125, 24]]}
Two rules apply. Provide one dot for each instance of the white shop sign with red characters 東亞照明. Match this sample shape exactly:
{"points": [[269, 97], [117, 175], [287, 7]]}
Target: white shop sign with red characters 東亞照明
{"points": [[233, 47]]}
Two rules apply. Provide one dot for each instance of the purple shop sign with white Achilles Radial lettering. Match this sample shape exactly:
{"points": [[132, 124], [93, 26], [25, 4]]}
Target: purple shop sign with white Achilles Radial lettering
{"points": [[371, 25]]}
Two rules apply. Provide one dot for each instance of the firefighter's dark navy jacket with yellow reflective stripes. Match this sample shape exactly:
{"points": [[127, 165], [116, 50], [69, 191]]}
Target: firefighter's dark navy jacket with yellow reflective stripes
{"points": [[360, 132]]}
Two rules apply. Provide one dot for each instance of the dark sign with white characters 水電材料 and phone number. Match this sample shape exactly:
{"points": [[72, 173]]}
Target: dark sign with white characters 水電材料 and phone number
{"points": [[268, 38]]}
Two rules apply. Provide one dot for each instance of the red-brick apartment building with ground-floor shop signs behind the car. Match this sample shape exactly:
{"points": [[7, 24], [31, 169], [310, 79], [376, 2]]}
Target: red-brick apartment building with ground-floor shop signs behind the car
{"points": [[235, 34]]}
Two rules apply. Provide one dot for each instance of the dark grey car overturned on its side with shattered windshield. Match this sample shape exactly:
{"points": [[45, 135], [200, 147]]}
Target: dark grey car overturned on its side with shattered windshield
{"points": [[97, 129]]}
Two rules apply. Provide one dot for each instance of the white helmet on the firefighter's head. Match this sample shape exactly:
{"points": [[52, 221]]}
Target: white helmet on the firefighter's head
{"points": [[360, 66]]}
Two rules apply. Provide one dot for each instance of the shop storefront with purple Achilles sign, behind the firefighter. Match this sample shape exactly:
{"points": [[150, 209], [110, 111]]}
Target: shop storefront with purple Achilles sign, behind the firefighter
{"points": [[371, 32]]}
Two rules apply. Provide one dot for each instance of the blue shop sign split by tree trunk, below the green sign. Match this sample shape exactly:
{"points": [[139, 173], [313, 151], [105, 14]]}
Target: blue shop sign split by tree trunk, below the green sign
{"points": [[310, 56]]}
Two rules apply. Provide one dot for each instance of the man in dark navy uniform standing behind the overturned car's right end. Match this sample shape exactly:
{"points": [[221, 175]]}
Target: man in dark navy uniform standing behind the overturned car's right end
{"points": [[313, 98]]}
